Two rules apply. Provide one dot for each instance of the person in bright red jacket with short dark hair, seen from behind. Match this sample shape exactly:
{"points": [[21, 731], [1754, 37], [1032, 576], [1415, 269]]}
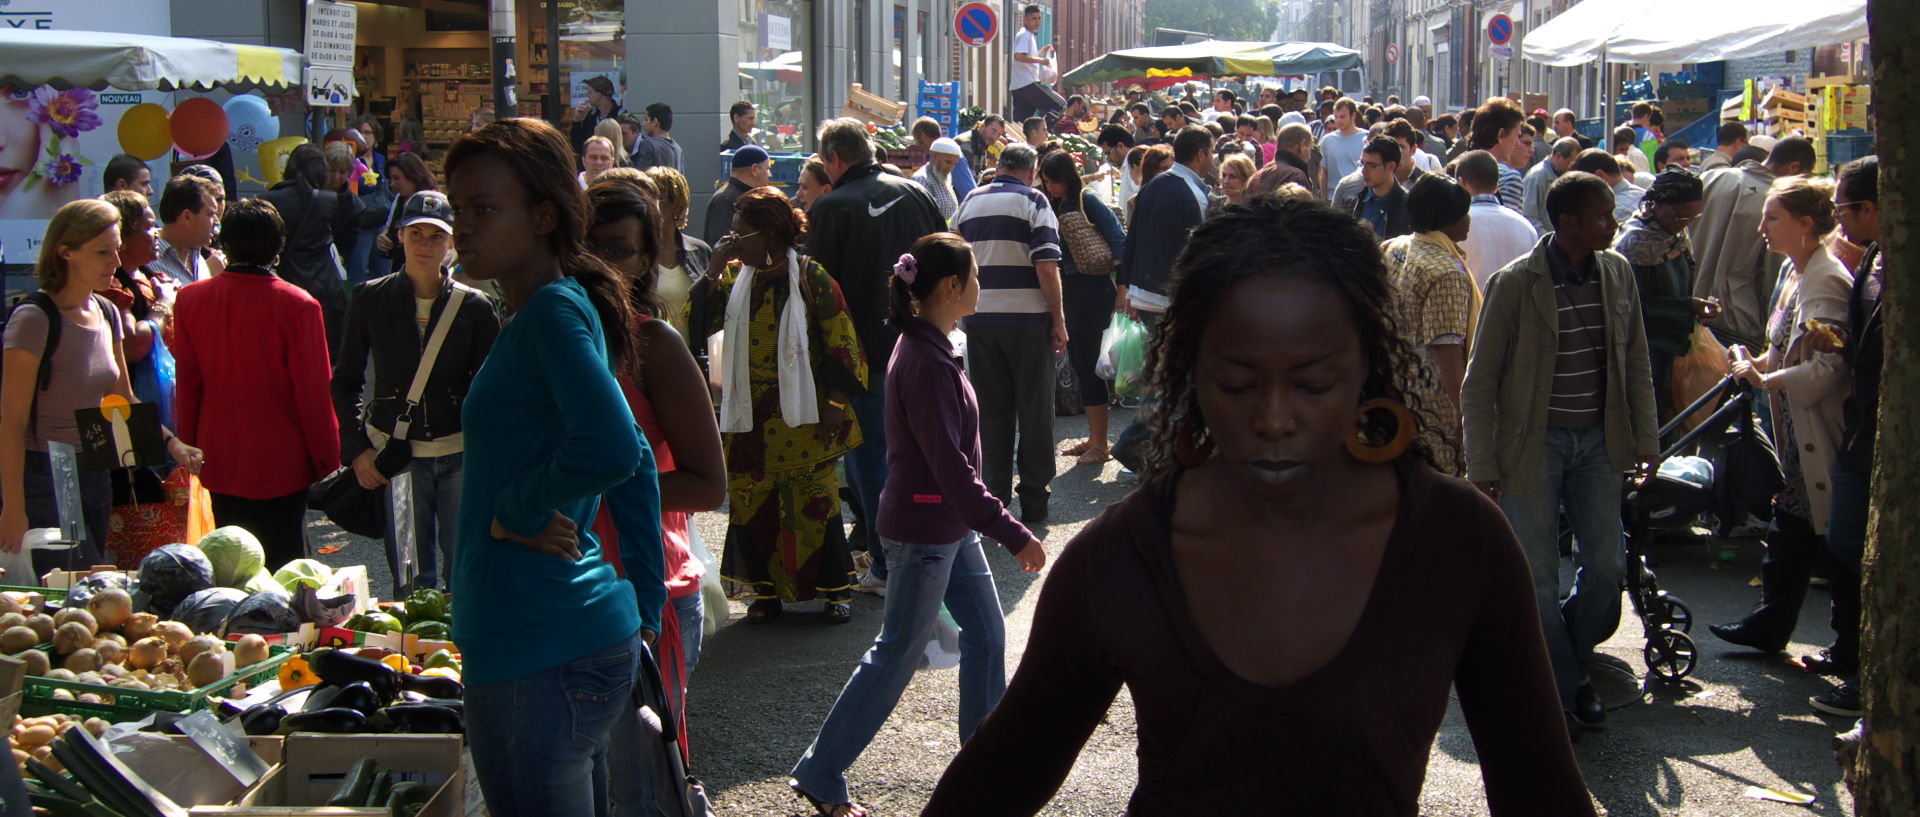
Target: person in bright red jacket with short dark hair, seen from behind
{"points": [[254, 386]]}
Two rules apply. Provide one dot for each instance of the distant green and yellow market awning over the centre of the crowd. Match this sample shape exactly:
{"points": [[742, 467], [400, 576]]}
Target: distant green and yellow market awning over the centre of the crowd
{"points": [[1216, 58]]}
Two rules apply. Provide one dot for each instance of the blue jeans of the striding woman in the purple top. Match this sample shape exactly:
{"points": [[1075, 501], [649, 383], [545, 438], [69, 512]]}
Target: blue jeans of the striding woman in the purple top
{"points": [[923, 578]]}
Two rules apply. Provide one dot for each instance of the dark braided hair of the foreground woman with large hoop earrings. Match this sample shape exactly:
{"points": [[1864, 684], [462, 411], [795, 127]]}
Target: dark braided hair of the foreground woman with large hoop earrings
{"points": [[1274, 235]]}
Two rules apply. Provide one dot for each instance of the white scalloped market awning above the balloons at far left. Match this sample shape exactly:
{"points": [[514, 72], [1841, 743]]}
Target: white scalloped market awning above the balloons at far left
{"points": [[139, 62]]}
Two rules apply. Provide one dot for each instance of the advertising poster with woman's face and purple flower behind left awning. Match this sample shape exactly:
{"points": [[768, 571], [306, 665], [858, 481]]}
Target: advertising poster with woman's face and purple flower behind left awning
{"points": [[55, 145]]}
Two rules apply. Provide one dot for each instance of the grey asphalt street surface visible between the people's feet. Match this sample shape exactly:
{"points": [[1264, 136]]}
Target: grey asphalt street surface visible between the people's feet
{"points": [[1691, 749]]}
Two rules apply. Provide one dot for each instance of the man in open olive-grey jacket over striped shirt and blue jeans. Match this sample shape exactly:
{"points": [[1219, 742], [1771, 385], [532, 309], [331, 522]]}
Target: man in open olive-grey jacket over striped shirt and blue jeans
{"points": [[1558, 406]]}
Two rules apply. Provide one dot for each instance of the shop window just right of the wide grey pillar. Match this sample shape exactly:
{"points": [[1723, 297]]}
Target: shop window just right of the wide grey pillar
{"points": [[775, 64]]}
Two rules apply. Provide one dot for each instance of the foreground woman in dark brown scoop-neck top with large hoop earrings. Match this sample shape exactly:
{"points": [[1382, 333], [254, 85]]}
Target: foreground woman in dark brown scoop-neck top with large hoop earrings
{"points": [[1291, 594]]}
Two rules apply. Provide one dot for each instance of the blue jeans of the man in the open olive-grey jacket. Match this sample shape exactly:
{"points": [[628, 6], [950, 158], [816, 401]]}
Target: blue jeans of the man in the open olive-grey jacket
{"points": [[1579, 479]]}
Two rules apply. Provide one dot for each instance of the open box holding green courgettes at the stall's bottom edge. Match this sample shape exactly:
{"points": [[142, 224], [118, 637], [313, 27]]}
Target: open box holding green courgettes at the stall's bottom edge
{"points": [[316, 768]]}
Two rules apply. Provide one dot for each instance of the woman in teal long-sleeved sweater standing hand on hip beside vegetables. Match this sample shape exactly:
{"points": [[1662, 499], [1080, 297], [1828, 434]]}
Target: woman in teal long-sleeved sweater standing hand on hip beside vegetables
{"points": [[550, 634]]}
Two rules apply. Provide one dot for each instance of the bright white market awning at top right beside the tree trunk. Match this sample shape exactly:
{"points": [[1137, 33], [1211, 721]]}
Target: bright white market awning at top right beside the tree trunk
{"points": [[1637, 32]]}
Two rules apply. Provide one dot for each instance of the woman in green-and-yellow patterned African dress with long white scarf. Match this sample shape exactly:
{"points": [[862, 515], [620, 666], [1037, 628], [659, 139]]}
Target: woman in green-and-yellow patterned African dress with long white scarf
{"points": [[790, 363]]}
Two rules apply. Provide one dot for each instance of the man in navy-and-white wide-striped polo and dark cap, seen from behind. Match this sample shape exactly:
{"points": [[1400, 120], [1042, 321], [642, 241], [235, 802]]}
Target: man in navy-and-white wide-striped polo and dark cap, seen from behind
{"points": [[1019, 329]]}
